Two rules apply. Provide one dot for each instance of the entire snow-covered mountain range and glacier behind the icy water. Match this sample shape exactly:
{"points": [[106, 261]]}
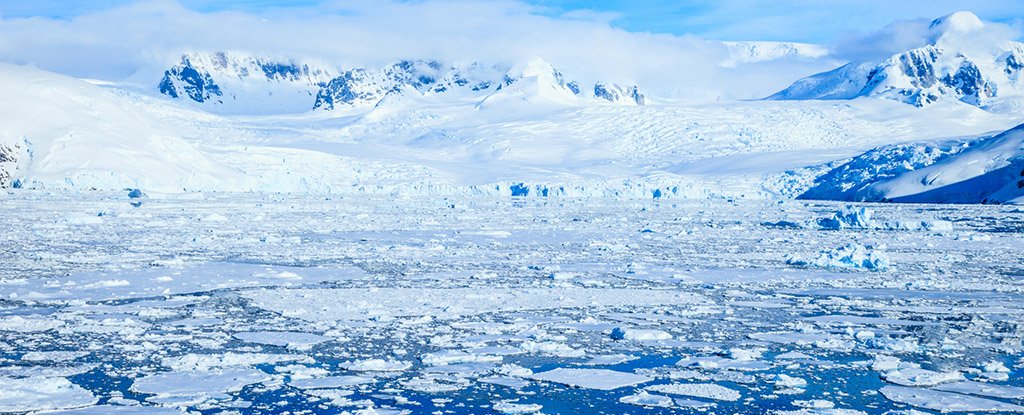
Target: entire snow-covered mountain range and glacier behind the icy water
{"points": [[915, 127]]}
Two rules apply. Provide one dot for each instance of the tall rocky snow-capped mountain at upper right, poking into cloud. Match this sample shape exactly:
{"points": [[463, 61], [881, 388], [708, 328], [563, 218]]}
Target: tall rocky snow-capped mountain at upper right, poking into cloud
{"points": [[951, 67]]}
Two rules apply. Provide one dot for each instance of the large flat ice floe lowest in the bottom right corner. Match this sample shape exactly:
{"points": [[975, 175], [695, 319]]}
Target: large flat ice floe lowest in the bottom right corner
{"points": [[946, 402]]}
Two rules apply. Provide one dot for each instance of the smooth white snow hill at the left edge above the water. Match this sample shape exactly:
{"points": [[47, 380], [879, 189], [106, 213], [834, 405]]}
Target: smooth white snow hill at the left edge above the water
{"points": [[63, 133]]}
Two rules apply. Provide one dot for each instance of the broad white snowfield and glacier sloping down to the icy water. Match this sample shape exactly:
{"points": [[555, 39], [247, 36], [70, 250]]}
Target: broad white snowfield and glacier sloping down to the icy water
{"points": [[533, 138]]}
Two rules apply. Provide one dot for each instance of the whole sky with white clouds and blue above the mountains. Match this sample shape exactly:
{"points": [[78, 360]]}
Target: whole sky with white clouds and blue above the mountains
{"points": [[668, 47]]}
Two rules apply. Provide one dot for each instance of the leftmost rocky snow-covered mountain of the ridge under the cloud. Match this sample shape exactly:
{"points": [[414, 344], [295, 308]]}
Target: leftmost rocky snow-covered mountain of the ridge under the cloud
{"points": [[238, 84]]}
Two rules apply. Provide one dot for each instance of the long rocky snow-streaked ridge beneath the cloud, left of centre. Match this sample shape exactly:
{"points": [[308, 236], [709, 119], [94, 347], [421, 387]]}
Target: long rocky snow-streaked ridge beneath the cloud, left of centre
{"points": [[235, 84]]}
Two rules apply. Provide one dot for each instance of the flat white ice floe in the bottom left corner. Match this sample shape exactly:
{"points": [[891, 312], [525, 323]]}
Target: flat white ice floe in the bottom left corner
{"points": [[40, 394]]}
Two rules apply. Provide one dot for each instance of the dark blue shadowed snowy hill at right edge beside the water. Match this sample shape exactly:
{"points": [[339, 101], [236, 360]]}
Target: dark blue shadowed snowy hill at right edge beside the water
{"points": [[986, 171]]}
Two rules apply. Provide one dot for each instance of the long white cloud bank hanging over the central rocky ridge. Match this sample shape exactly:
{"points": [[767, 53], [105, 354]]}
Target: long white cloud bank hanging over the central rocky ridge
{"points": [[140, 40]]}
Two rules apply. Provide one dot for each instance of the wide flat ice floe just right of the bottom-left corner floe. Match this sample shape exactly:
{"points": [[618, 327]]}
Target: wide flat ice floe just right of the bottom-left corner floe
{"points": [[193, 387]]}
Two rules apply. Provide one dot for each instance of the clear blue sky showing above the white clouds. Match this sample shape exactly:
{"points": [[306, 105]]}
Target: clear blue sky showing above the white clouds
{"points": [[808, 21]]}
